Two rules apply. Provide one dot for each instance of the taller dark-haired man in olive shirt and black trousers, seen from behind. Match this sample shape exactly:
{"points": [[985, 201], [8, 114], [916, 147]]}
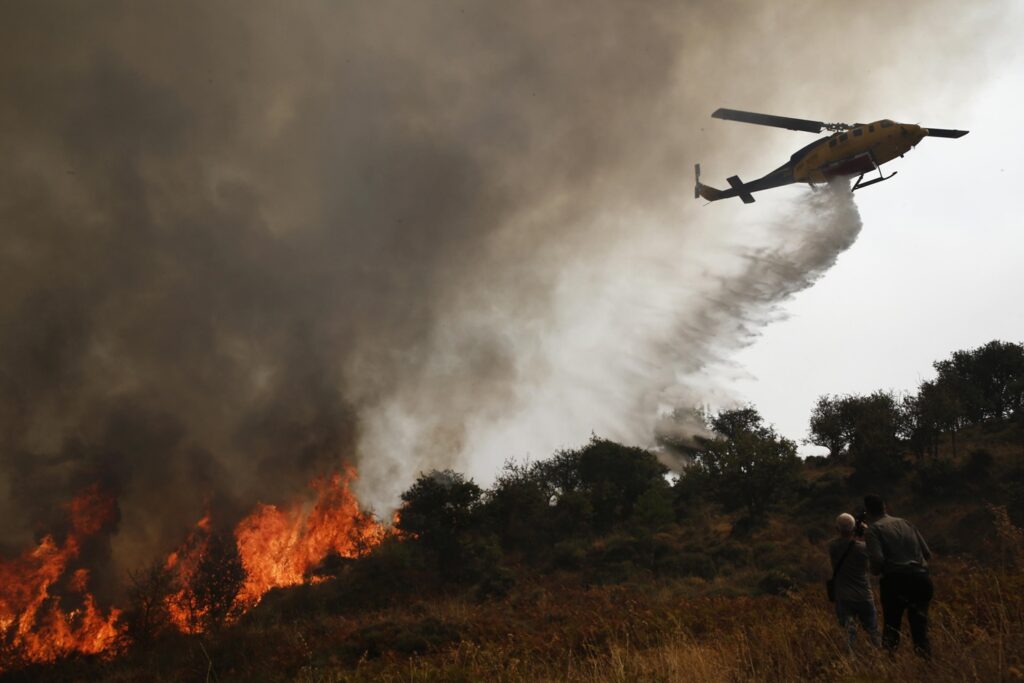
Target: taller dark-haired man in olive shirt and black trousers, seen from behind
{"points": [[899, 552]]}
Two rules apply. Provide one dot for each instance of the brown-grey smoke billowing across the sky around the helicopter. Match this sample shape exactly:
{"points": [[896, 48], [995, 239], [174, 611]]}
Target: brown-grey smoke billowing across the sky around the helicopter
{"points": [[244, 242]]}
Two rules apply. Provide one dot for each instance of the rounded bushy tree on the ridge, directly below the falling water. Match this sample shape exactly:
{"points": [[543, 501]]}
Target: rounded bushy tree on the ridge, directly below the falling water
{"points": [[749, 466]]}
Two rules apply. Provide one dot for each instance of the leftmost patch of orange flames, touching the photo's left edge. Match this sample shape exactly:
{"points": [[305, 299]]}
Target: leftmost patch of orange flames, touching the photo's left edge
{"points": [[33, 623]]}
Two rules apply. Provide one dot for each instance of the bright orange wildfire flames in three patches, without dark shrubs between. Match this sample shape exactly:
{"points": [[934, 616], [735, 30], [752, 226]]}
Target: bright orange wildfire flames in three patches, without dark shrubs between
{"points": [[47, 611]]}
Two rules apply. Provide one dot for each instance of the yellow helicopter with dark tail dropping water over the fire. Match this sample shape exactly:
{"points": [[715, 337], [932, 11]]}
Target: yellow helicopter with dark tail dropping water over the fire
{"points": [[851, 150]]}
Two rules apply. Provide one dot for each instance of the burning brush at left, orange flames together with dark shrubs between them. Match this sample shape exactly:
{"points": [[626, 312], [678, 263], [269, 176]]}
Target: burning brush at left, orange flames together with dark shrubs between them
{"points": [[48, 612]]}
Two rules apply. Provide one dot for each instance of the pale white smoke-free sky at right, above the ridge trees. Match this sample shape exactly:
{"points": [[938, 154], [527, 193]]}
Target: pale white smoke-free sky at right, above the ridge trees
{"points": [[940, 265]]}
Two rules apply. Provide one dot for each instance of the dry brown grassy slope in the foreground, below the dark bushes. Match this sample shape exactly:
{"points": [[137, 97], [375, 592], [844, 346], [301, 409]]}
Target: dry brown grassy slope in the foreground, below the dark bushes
{"points": [[561, 631]]}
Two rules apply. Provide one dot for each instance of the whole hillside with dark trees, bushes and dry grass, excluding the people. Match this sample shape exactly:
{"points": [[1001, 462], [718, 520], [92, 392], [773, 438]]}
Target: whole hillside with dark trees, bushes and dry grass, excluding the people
{"points": [[598, 565]]}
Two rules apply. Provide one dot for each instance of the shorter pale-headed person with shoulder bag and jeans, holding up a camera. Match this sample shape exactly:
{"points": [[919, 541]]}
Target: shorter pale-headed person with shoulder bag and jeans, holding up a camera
{"points": [[851, 588]]}
